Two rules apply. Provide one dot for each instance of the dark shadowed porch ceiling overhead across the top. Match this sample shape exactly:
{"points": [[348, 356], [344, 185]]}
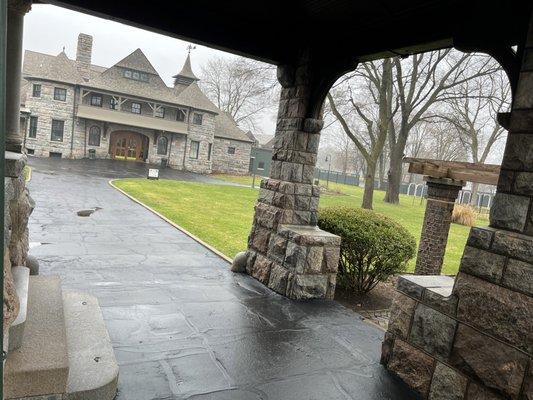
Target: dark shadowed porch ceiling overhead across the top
{"points": [[273, 30]]}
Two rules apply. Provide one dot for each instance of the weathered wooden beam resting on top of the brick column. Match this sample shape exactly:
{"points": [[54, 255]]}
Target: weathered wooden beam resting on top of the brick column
{"points": [[459, 171]]}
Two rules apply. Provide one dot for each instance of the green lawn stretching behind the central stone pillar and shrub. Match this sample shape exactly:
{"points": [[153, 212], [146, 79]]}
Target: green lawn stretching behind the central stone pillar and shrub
{"points": [[222, 215]]}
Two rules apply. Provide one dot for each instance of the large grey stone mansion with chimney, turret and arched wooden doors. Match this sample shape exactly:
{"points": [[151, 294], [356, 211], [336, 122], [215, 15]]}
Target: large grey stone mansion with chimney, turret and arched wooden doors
{"points": [[75, 109]]}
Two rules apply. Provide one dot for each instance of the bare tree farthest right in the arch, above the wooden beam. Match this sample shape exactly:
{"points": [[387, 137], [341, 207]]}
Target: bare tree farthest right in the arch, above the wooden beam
{"points": [[472, 115]]}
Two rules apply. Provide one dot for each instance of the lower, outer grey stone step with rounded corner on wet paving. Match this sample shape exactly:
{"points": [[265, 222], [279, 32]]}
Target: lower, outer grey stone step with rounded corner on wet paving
{"points": [[93, 368]]}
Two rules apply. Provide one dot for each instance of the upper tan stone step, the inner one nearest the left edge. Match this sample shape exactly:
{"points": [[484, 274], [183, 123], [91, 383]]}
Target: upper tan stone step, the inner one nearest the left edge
{"points": [[40, 366]]}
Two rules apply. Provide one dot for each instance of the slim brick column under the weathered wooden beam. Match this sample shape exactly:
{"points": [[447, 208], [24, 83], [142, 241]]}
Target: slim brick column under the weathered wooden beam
{"points": [[442, 194]]}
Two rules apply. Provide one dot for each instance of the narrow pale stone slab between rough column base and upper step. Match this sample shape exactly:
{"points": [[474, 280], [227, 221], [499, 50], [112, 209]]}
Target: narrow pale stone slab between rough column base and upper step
{"points": [[21, 278]]}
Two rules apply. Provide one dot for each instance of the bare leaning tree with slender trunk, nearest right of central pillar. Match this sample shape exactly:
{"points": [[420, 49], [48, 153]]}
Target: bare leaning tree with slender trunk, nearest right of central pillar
{"points": [[375, 116]]}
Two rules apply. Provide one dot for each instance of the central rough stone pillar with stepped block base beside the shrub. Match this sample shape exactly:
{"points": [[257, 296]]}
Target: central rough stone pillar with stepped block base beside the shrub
{"points": [[286, 250]]}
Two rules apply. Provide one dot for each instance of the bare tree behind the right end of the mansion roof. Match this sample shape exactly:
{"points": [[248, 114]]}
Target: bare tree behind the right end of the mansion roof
{"points": [[241, 87]]}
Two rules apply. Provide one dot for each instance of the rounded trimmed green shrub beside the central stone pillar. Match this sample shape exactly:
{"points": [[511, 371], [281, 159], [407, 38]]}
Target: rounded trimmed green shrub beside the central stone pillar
{"points": [[373, 246]]}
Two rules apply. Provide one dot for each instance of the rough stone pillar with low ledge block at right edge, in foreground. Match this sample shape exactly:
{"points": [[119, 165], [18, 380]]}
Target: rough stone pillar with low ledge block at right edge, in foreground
{"points": [[472, 338]]}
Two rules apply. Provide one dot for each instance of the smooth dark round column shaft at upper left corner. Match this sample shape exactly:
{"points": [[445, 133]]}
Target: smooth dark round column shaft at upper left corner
{"points": [[15, 24]]}
